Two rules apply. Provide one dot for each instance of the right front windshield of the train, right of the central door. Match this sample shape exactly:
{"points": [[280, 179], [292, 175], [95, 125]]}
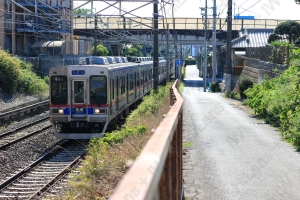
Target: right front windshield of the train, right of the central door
{"points": [[98, 90]]}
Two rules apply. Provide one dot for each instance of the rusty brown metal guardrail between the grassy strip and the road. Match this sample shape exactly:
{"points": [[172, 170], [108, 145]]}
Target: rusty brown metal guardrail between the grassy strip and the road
{"points": [[157, 171]]}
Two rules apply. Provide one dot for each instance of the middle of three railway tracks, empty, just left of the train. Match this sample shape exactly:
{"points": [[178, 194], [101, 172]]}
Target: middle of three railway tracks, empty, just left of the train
{"points": [[16, 135]]}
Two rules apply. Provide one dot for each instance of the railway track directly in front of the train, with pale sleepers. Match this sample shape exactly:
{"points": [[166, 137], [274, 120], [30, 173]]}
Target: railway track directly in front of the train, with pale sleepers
{"points": [[33, 181]]}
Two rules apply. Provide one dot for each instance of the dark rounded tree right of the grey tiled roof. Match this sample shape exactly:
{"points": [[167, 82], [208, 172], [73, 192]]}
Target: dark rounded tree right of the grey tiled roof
{"points": [[288, 30]]}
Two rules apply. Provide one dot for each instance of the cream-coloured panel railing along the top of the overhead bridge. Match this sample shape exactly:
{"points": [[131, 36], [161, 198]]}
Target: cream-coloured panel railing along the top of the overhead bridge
{"points": [[107, 23]]}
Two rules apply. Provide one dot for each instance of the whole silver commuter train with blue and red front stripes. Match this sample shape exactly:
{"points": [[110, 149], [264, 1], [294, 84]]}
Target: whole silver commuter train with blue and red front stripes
{"points": [[86, 98]]}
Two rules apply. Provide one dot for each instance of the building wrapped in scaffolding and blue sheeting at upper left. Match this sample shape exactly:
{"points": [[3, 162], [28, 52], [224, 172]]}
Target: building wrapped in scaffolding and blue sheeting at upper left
{"points": [[28, 24]]}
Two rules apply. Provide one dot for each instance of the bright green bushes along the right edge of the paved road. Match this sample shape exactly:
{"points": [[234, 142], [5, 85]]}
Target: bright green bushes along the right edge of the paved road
{"points": [[277, 101]]}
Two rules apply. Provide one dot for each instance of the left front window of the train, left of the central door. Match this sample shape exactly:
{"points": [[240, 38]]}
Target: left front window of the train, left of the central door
{"points": [[59, 90]]}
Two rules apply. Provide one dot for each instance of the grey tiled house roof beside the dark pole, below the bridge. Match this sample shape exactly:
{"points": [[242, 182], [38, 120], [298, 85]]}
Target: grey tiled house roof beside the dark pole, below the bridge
{"points": [[252, 38]]}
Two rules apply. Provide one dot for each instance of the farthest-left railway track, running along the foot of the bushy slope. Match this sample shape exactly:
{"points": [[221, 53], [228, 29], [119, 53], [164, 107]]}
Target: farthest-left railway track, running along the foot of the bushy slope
{"points": [[12, 113]]}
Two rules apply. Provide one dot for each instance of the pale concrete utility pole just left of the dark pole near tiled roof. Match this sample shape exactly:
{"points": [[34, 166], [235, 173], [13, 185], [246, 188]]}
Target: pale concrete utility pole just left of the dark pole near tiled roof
{"points": [[214, 56]]}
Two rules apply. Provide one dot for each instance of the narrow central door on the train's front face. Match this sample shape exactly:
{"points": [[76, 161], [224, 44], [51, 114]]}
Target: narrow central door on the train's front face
{"points": [[79, 99]]}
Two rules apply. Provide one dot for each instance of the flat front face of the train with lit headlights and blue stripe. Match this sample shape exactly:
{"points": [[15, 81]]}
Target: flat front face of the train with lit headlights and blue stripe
{"points": [[78, 101]]}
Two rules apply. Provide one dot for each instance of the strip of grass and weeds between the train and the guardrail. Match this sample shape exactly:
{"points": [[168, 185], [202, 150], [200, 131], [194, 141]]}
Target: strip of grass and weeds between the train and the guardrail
{"points": [[108, 158]]}
